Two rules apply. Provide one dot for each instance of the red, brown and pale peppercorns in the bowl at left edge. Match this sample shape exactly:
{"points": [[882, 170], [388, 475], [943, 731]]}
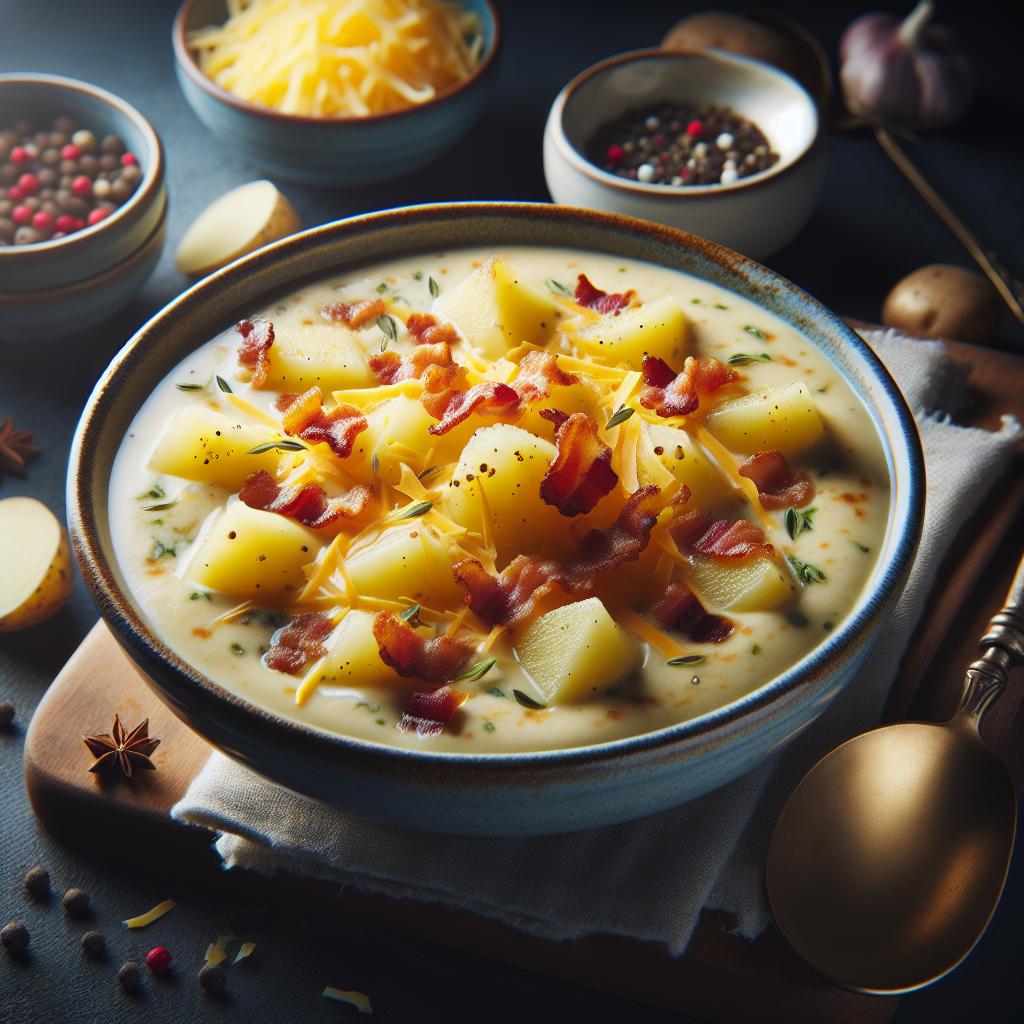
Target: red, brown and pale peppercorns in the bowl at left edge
{"points": [[58, 182]]}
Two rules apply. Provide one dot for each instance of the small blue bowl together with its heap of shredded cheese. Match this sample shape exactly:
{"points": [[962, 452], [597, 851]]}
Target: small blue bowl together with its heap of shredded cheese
{"points": [[337, 93]]}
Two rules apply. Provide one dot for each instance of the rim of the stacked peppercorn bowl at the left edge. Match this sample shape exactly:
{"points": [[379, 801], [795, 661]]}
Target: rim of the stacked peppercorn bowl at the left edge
{"points": [[149, 188]]}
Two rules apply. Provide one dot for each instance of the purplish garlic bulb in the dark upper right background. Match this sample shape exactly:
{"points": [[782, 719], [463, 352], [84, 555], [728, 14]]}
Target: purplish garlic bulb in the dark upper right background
{"points": [[912, 73]]}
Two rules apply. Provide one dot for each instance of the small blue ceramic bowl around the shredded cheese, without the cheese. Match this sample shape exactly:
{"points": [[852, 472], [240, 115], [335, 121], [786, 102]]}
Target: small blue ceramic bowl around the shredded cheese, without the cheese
{"points": [[335, 152]]}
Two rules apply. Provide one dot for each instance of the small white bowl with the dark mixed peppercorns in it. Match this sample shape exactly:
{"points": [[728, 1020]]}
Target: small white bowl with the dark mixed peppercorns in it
{"points": [[718, 145]]}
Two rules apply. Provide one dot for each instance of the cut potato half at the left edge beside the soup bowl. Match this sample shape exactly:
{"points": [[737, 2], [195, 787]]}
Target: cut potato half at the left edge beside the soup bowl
{"points": [[37, 573]]}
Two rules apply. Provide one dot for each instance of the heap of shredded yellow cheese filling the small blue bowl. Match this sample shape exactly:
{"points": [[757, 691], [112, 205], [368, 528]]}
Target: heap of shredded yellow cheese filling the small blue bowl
{"points": [[339, 59]]}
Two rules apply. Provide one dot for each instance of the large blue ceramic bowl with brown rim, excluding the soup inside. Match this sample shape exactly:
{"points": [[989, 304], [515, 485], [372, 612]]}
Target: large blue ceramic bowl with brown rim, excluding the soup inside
{"points": [[488, 794]]}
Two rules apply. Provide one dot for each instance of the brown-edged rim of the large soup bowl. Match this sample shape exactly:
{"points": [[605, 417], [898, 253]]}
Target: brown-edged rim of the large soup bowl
{"points": [[904, 451]]}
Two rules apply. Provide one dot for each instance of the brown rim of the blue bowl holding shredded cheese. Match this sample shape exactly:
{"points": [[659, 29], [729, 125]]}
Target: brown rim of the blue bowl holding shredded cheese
{"points": [[187, 62]]}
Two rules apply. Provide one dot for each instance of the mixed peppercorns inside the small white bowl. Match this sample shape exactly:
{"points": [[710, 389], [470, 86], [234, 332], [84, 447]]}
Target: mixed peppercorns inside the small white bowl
{"points": [[672, 144]]}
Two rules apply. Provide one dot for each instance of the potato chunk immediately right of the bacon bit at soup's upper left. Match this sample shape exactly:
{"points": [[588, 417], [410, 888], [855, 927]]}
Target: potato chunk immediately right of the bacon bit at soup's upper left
{"points": [[327, 356]]}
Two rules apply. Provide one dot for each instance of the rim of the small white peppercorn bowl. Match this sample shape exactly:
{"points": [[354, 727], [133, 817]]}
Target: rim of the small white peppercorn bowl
{"points": [[557, 120]]}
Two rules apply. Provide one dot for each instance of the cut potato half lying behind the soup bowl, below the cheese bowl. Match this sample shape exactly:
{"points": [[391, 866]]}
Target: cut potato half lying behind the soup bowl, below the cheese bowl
{"points": [[237, 224]]}
